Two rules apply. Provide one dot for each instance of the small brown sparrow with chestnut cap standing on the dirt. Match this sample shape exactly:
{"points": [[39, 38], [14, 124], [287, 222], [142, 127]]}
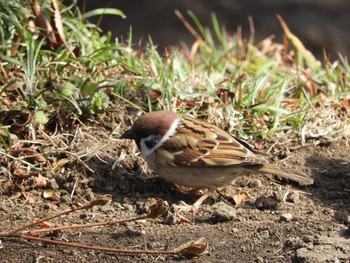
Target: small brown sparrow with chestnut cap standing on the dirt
{"points": [[195, 154]]}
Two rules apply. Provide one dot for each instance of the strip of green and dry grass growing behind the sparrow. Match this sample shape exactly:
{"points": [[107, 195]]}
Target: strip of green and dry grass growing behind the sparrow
{"points": [[69, 67]]}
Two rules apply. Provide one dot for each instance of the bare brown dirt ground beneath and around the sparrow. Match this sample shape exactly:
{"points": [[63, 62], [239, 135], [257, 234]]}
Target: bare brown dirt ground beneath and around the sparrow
{"points": [[318, 231]]}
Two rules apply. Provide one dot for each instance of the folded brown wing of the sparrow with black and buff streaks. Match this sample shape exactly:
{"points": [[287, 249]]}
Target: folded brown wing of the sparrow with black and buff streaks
{"points": [[199, 144]]}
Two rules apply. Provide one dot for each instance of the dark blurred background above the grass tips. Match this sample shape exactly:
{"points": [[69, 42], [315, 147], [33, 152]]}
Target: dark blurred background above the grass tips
{"points": [[318, 23]]}
